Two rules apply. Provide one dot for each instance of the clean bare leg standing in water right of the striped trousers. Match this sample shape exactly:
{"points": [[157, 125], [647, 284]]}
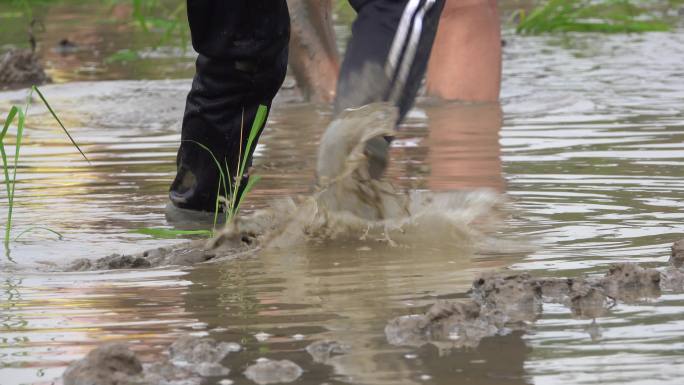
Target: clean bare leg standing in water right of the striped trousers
{"points": [[466, 58]]}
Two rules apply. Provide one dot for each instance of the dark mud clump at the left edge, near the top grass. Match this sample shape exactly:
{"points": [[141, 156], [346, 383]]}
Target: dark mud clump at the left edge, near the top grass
{"points": [[21, 67]]}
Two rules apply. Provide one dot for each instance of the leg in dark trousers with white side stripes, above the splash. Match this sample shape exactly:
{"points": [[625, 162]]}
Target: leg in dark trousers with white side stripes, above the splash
{"points": [[388, 52]]}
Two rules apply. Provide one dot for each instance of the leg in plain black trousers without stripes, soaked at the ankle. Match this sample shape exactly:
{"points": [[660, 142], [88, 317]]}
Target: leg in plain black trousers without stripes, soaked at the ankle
{"points": [[243, 49]]}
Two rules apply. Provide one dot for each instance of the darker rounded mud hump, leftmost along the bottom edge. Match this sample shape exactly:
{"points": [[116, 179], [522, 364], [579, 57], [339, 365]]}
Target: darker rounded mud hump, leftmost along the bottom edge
{"points": [[110, 364]]}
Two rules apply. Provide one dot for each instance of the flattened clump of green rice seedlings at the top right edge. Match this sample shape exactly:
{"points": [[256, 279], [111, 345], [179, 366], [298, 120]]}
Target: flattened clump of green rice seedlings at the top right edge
{"points": [[607, 16]]}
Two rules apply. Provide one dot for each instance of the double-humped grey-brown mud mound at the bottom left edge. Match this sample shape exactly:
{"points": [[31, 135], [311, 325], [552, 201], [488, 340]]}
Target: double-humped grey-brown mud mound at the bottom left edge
{"points": [[189, 360]]}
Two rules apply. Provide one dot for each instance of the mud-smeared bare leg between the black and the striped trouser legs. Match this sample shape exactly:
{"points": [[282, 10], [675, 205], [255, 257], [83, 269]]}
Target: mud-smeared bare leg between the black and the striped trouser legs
{"points": [[313, 51]]}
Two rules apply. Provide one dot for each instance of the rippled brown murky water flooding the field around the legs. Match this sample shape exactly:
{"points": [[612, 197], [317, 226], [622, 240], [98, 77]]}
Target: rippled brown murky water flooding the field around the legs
{"points": [[590, 152]]}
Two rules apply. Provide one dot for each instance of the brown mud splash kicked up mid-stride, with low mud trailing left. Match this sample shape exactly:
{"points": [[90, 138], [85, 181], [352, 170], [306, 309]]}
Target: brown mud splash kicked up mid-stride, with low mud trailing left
{"points": [[347, 205]]}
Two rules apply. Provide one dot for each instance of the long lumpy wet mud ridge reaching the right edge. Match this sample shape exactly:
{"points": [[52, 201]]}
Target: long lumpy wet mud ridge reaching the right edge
{"points": [[502, 303]]}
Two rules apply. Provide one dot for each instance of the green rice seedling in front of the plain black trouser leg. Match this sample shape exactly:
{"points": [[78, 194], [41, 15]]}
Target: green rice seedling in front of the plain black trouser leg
{"points": [[230, 201]]}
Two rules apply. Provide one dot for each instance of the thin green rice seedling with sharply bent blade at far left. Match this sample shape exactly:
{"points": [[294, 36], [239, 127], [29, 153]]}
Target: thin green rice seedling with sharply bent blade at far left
{"points": [[19, 115]]}
